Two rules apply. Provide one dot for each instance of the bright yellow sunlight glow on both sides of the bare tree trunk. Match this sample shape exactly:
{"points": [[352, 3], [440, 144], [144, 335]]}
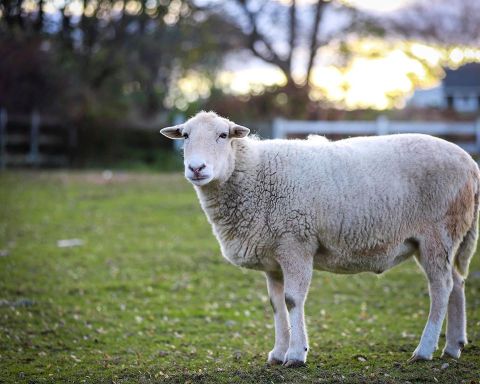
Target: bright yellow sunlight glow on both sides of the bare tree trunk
{"points": [[380, 76]]}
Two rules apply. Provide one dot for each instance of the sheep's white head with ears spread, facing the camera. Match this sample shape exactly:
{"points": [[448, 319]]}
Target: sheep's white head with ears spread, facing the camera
{"points": [[208, 153]]}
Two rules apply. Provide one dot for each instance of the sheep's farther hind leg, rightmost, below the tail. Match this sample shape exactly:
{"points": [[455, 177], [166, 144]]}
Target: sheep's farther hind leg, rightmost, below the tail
{"points": [[456, 320]]}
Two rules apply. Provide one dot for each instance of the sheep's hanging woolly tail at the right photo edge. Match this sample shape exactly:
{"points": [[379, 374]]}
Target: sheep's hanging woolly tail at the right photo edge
{"points": [[469, 243]]}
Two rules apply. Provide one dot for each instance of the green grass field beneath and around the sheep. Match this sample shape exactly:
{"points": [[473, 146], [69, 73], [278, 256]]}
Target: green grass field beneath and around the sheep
{"points": [[148, 297]]}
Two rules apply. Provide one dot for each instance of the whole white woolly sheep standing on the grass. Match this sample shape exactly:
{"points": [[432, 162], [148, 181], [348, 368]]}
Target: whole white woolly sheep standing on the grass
{"points": [[287, 207]]}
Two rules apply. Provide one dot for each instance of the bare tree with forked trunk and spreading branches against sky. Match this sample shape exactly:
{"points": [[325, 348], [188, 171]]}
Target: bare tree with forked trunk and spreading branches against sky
{"points": [[290, 35]]}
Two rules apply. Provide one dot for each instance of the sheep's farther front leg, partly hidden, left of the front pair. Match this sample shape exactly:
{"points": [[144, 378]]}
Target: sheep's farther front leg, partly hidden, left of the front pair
{"points": [[282, 333]]}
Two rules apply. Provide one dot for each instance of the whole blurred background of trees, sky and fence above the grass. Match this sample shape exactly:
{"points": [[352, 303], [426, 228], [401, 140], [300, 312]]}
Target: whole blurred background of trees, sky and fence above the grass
{"points": [[88, 83]]}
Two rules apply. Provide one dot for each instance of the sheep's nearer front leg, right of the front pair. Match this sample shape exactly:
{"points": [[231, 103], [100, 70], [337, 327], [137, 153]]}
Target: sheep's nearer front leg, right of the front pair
{"points": [[297, 274]]}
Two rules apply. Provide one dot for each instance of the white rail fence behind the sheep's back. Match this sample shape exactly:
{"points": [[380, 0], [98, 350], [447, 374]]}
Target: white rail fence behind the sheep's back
{"points": [[464, 134]]}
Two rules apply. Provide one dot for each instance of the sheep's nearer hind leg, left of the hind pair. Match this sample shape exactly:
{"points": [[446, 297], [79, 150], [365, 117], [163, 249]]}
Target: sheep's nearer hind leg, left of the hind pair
{"points": [[435, 259]]}
